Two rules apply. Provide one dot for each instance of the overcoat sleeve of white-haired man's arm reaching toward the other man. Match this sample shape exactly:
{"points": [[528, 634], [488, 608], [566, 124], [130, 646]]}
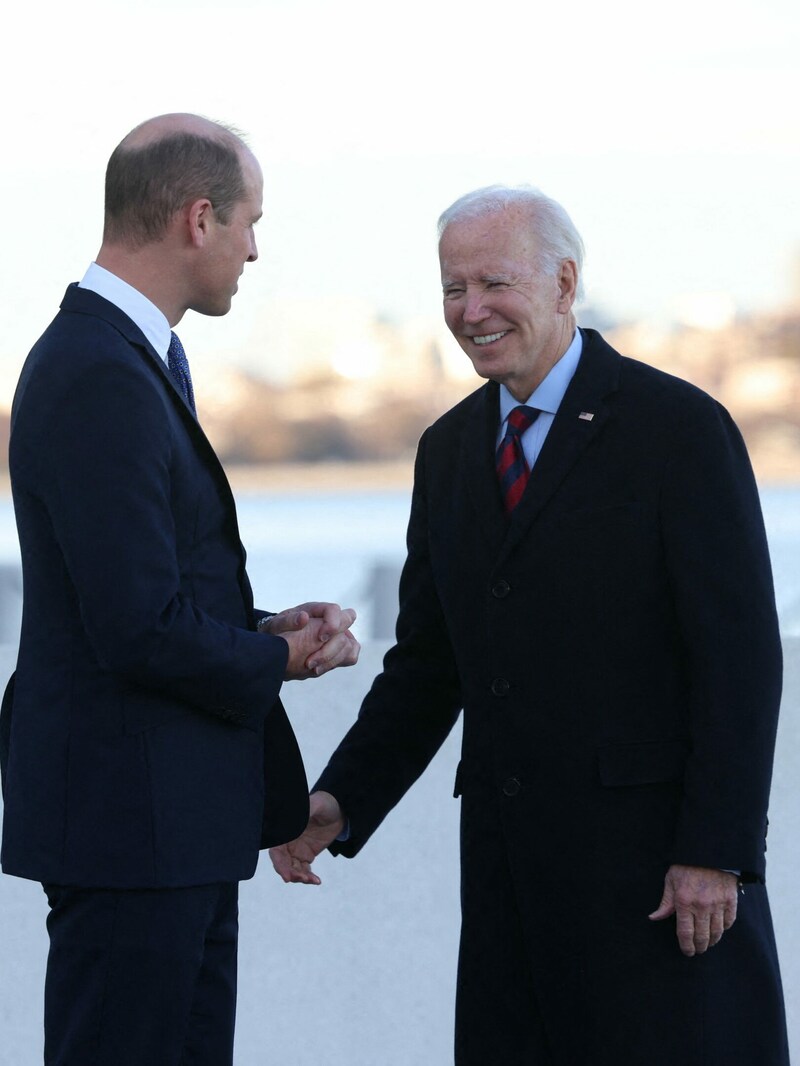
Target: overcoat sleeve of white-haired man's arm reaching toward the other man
{"points": [[413, 704]]}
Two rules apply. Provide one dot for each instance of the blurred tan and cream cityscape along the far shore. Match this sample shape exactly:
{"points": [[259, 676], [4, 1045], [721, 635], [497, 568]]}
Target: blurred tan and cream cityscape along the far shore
{"points": [[369, 399]]}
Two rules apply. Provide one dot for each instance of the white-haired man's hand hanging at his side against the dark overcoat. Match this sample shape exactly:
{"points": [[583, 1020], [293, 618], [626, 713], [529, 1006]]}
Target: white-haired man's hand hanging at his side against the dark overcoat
{"points": [[705, 902]]}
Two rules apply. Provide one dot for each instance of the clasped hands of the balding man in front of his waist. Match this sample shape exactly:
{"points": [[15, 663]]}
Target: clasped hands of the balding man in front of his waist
{"points": [[319, 639]]}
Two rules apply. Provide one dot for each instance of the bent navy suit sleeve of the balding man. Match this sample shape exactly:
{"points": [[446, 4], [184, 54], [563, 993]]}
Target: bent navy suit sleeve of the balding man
{"points": [[109, 492]]}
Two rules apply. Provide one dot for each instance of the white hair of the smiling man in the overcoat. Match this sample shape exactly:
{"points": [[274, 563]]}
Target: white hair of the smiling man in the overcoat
{"points": [[556, 236]]}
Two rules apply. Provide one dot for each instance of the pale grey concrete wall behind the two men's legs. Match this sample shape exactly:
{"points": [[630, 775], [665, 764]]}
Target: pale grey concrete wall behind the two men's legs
{"points": [[361, 971]]}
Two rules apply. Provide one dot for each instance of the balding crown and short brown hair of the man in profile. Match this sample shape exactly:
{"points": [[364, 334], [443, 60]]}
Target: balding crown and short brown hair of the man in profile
{"points": [[163, 166]]}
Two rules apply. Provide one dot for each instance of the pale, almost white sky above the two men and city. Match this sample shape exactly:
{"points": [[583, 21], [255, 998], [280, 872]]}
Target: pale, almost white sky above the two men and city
{"points": [[670, 134]]}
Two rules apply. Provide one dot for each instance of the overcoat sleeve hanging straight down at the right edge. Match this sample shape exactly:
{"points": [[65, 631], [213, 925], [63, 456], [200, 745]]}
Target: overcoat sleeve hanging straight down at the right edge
{"points": [[723, 589]]}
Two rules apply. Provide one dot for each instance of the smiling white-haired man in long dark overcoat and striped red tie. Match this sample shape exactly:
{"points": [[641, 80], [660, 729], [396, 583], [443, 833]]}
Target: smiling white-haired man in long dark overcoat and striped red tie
{"points": [[588, 578]]}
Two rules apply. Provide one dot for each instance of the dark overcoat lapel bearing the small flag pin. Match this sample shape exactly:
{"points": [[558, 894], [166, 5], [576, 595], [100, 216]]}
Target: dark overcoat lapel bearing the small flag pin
{"points": [[572, 431]]}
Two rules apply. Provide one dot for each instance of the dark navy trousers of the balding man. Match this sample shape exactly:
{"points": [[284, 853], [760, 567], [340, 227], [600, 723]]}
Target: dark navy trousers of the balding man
{"points": [[141, 977]]}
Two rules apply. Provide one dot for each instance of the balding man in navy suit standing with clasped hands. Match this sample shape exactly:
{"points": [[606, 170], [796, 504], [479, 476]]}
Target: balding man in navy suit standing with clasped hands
{"points": [[146, 754]]}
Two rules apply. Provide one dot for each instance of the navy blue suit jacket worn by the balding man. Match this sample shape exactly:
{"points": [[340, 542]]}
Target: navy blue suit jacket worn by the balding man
{"points": [[142, 740]]}
